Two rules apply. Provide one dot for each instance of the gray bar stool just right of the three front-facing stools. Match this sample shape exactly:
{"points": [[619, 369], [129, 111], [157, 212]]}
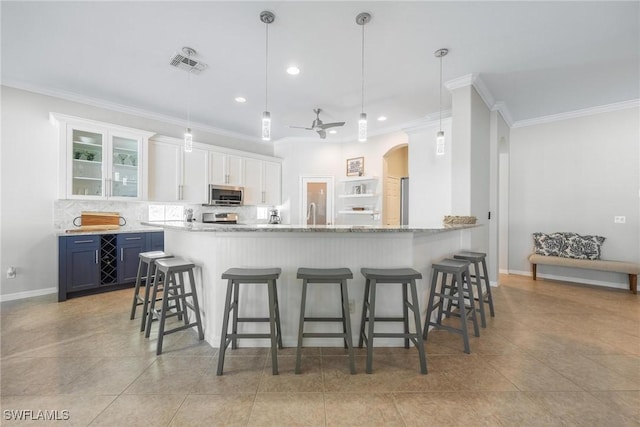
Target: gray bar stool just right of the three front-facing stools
{"points": [[451, 292]]}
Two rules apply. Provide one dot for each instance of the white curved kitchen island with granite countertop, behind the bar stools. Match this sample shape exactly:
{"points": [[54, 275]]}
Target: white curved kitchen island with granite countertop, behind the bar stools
{"points": [[215, 248]]}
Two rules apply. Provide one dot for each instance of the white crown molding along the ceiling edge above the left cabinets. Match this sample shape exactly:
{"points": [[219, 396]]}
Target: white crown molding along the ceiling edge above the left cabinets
{"points": [[120, 108]]}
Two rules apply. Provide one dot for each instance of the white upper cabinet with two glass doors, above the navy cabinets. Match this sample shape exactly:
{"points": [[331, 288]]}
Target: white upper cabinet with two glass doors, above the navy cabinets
{"points": [[102, 161]]}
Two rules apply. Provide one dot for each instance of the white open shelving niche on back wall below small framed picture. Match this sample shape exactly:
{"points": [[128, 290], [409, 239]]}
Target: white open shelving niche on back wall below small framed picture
{"points": [[360, 192]]}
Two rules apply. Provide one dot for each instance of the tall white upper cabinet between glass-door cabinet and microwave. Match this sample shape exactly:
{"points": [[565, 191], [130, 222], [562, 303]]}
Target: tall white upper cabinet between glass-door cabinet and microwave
{"points": [[175, 175]]}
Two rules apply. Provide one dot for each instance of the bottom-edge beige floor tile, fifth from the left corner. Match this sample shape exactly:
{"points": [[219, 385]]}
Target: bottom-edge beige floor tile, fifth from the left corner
{"points": [[361, 410]]}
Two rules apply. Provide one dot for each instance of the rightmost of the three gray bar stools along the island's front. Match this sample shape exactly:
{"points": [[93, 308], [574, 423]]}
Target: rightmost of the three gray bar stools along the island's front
{"points": [[405, 277]]}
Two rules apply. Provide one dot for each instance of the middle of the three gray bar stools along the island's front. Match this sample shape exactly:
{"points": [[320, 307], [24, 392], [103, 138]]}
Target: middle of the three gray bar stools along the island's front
{"points": [[326, 275]]}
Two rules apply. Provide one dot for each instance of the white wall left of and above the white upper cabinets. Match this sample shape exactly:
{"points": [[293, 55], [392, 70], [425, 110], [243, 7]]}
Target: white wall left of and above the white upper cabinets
{"points": [[29, 171]]}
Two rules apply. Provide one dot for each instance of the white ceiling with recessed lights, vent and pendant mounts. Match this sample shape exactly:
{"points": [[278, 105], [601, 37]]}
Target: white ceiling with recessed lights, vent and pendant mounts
{"points": [[539, 58]]}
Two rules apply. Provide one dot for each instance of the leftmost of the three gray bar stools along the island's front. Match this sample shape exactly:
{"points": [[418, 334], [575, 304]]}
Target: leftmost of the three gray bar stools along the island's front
{"points": [[235, 277]]}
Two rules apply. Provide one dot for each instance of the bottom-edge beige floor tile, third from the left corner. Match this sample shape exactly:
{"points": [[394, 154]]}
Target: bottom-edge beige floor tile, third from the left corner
{"points": [[214, 410]]}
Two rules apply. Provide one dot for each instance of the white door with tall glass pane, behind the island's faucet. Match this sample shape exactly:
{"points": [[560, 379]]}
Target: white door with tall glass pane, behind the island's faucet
{"points": [[316, 196]]}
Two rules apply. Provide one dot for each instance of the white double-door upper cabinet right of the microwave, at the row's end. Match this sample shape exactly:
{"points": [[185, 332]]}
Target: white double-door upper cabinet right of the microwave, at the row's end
{"points": [[262, 182]]}
